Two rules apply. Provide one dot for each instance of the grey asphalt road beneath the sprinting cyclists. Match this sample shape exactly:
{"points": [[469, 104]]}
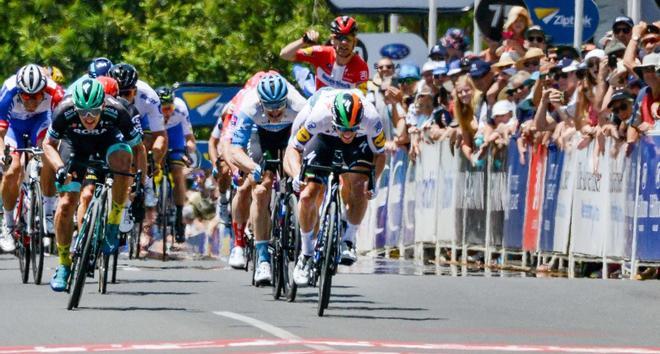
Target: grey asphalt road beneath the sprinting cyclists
{"points": [[203, 306]]}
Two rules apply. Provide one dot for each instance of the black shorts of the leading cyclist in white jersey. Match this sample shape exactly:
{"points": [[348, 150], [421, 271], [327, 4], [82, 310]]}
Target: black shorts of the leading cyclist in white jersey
{"points": [[324, 150]]}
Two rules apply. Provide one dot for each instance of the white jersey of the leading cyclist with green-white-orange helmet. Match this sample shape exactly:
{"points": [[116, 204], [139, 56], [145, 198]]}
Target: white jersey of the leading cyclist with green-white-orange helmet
{"points": [[320, 122]]}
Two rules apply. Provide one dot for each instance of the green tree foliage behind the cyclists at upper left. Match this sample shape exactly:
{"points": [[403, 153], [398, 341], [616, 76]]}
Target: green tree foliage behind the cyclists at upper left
{"points": [[168, 41]]}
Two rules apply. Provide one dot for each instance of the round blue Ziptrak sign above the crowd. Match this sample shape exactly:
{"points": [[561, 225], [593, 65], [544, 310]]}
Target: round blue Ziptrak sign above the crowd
{"points": [[557, 19]]}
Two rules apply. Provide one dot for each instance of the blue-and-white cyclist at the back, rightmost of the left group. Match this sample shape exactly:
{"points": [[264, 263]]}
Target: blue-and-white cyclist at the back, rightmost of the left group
{"points": [[181, 141]]}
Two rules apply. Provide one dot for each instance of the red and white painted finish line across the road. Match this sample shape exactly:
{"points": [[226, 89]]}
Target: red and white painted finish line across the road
{"points": [[362, 347]]}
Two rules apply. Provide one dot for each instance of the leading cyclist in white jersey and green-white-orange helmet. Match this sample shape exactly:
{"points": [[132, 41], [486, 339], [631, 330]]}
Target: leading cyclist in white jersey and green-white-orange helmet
{"points": [[344, 122]]}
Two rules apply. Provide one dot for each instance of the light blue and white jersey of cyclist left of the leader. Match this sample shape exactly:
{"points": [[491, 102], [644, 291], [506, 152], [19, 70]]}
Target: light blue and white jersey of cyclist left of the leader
{"points": [[251, 113]]}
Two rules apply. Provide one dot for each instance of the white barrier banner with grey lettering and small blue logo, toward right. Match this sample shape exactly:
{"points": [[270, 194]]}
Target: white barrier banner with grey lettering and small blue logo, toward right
{"points": [[591, 204]]}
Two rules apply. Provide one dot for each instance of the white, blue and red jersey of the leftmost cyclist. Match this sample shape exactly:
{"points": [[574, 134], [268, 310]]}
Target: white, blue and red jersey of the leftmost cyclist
{"points": [[34, 124]]}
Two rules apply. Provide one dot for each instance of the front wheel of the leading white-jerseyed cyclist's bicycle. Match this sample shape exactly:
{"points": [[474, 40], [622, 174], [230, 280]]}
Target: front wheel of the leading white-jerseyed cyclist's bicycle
{"points": [[327, 260]]}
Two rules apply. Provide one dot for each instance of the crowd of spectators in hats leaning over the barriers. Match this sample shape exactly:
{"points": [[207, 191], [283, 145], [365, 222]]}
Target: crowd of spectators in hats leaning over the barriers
{"points": [[524, 87]]}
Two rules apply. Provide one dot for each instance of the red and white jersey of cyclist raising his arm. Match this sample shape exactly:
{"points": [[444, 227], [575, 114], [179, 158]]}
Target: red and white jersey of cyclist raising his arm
{"points": [[355, 74]]}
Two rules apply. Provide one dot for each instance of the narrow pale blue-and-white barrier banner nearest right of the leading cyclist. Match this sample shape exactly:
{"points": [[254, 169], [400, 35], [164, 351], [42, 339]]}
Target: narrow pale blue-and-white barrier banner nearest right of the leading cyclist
{"points": [[395, 198]]}
